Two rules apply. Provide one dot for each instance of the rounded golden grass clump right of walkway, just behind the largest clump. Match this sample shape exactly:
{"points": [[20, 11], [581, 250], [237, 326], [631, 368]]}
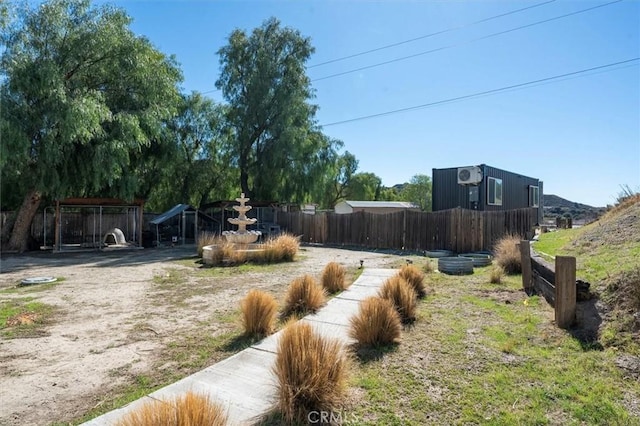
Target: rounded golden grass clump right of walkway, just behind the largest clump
{"points": [[376, 324]]}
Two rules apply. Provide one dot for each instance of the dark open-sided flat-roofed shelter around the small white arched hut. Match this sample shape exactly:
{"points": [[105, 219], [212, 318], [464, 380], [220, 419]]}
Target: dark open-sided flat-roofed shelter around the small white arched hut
{"points": [[83, 222]]}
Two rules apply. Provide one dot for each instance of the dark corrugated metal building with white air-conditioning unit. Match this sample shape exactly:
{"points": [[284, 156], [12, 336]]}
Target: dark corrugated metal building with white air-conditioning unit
{"points": [[485, 188]]}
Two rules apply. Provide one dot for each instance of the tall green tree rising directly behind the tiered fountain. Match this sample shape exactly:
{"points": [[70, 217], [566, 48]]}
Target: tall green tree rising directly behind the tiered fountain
{"points": [[264, 81]]}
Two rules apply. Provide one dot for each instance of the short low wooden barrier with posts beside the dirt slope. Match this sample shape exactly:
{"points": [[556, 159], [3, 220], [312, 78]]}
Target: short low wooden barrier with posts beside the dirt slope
{"points": [[556, 283]]}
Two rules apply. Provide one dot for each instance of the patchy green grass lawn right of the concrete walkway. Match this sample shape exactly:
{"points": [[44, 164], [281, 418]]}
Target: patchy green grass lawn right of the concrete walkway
{"points": [[487, 354]]}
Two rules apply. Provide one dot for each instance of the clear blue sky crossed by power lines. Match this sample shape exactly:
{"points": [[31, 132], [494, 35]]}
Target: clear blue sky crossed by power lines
{"points": [[579, 134]]}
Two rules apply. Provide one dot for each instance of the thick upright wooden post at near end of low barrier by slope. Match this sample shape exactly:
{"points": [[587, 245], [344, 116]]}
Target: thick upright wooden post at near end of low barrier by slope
{"points": [[565, 291]]}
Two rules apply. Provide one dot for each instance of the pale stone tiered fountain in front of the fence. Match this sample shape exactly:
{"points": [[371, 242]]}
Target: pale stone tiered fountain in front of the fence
{"points": [[242, 239]]}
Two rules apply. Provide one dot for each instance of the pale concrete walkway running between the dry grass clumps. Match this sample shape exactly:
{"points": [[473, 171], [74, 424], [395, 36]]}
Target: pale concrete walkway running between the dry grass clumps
{"points": [[244, 382]]}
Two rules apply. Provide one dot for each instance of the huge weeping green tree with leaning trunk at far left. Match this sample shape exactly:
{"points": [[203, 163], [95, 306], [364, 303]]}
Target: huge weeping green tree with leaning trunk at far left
{"points": [[82, 96]]}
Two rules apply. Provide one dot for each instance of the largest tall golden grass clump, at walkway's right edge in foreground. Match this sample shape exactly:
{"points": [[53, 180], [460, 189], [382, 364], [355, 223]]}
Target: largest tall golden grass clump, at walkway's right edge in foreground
{"points": [[311, 372]]}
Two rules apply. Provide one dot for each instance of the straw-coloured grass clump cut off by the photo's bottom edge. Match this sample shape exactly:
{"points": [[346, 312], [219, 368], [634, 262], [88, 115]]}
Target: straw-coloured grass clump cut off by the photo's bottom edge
{"points": [[190, 409]]}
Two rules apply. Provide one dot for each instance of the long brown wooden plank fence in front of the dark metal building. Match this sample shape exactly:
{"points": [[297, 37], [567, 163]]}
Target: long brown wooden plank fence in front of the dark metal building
{"points": [[459, 230]]}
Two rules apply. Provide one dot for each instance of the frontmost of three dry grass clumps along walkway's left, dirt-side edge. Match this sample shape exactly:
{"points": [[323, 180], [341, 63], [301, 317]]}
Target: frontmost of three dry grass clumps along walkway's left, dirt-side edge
{"points": [[259, 310]]}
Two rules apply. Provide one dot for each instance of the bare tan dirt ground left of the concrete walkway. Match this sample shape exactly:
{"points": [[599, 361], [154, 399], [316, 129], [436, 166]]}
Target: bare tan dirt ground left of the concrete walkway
{"points": [[112, 320]]}
